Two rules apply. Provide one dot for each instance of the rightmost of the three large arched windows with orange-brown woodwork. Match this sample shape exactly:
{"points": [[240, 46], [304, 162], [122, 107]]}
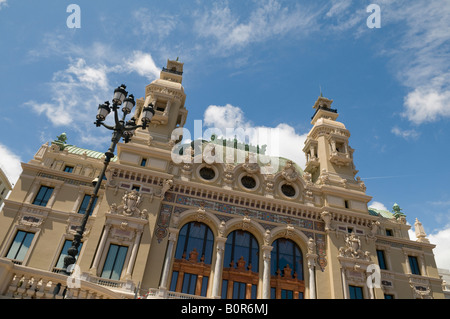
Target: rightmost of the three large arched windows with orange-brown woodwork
{"points": [[286, 270]]}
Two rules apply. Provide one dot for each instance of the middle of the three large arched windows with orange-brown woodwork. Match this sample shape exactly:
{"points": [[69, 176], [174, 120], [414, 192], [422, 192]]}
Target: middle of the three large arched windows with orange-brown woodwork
{"points": [[241, 263]]}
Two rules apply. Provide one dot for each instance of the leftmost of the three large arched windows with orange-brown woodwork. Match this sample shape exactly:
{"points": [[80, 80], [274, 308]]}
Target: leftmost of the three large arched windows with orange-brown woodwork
{"points": [[193, 257]]}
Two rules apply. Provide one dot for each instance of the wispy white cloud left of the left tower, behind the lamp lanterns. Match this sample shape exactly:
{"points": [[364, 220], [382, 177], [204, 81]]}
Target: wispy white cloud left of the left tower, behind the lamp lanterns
{"points": [[76, 91]]}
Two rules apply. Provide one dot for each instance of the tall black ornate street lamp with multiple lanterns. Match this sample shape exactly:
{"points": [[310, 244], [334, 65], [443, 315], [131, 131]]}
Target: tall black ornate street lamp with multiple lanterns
{"points": [[121, 129]]}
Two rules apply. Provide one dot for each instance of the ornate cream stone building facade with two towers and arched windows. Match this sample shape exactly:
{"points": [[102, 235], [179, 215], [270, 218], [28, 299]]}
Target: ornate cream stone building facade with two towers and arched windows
{"points": [[204, 229]]}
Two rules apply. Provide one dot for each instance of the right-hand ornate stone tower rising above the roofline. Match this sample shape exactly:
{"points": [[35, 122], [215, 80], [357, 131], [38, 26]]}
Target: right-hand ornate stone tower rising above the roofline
{"points": [[326, 146]]}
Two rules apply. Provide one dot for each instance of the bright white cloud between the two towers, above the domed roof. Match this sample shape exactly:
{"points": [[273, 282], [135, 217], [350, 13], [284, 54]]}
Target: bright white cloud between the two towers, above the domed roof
{"points": [[281, 140]]}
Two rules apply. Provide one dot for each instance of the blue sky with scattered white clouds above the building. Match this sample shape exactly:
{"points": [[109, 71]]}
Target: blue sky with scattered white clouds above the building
{"points": [[258, 64]]}
